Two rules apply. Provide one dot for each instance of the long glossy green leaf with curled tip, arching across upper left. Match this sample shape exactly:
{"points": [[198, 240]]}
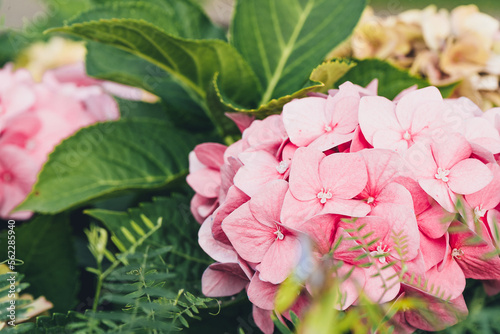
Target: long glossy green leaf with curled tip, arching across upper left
{"points": [[193, 62]]}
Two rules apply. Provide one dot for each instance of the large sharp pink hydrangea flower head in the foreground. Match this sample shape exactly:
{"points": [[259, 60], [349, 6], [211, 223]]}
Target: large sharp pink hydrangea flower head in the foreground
{"points": [[418, 177]]}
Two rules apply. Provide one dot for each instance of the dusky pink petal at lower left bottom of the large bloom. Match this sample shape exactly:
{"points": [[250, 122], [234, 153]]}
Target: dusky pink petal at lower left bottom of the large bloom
{"points": [[222, 280]]}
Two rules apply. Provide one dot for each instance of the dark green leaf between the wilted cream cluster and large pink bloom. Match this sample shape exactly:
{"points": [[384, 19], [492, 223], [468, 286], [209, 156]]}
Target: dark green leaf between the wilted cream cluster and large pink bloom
{"points": [[391, 80]]}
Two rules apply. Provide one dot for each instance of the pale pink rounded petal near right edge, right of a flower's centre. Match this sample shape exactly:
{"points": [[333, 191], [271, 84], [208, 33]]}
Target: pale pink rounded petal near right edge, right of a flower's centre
{"points": [[469, 176]]}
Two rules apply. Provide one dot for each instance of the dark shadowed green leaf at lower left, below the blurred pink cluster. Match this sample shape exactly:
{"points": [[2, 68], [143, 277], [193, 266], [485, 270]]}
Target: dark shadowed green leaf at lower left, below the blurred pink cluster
{"points": [[45, 245]]}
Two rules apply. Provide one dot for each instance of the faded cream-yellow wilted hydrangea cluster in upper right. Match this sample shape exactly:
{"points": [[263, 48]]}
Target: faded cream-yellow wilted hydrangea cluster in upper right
{"points": [[445, 47]]}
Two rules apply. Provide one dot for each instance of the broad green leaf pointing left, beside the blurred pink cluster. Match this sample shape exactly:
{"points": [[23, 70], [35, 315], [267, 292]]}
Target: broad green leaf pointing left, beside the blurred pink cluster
{"points": [[110, 158]]}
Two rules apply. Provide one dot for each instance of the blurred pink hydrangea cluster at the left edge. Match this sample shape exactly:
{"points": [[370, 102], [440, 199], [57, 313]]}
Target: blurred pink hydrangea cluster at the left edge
{"points": [[36, 116]]}
